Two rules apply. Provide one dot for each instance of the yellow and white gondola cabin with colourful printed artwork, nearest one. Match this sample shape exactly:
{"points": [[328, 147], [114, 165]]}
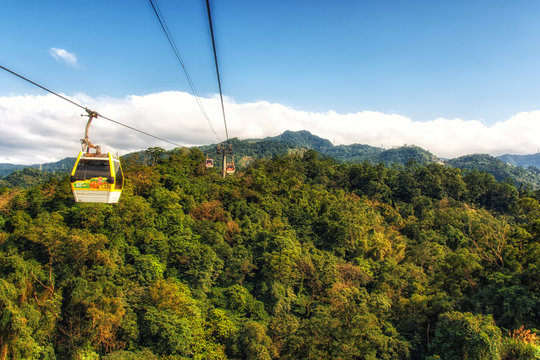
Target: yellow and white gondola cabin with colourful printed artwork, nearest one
{"points": [[97, 178]]}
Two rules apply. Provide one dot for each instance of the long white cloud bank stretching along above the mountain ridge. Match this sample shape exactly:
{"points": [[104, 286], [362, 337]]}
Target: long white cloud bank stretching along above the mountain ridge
{"points": [[44, 128]]}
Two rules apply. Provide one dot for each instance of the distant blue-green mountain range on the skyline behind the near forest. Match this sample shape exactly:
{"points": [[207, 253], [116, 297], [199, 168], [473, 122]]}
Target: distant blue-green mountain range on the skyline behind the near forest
{"points": [[290, 142]]}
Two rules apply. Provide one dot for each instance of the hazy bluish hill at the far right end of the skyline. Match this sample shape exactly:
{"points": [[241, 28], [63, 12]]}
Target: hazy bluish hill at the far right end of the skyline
{"points": [[501, 170]]}
